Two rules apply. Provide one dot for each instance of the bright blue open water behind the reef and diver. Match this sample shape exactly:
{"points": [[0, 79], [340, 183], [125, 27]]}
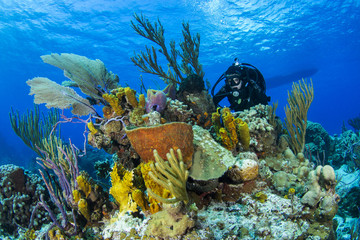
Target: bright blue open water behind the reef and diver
{"points": [[278, 37]]}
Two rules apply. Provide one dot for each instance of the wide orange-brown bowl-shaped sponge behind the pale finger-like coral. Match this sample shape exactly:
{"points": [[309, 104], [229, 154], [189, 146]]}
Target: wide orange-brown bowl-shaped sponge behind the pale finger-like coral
{"points": [[176, 135]]}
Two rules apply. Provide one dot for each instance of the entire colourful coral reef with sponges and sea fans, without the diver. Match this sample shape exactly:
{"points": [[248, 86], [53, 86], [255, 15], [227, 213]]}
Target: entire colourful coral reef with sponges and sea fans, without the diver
{"points": [[245, 182]]}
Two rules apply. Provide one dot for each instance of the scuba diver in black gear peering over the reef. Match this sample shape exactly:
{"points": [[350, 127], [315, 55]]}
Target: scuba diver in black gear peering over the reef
{"points": [[244, 87]]}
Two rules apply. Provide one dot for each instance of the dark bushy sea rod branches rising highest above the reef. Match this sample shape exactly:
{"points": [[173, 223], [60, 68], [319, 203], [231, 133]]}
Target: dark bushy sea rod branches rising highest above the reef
{"points": [[148, 62]]}
